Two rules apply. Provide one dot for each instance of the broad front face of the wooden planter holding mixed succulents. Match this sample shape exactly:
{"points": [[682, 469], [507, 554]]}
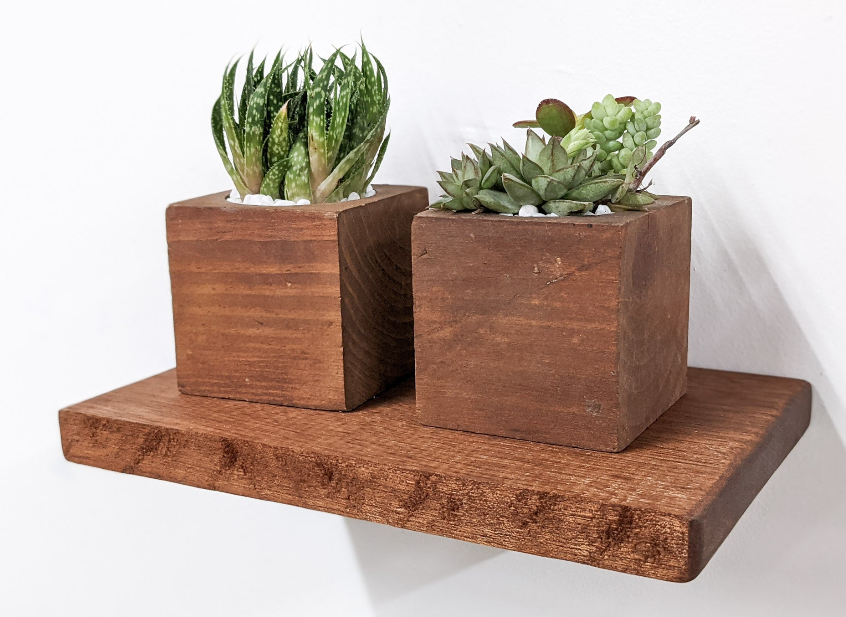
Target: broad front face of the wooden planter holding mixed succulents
{"points": [[516, 327]]}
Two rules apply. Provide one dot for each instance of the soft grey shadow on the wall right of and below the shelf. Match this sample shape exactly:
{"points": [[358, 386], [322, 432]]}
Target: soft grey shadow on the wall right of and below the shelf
{"points": [[783, 557]]}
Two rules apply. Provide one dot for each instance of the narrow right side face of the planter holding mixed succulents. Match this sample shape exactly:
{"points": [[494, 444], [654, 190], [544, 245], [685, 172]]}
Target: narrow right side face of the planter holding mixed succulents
{"points": [[654, 314]]}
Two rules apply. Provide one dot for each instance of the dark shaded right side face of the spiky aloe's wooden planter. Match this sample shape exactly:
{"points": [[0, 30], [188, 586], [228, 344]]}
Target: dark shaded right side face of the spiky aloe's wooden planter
{"points": [[376, 302]]}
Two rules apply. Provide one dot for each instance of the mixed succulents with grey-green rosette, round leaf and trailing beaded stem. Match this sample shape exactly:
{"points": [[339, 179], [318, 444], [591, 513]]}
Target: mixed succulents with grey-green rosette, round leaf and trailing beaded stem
{"points": [[598, 157]]}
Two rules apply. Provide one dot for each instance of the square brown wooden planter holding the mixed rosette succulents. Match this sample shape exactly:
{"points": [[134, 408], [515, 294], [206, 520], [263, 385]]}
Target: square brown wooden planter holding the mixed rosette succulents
{"points": [[569, 331]]}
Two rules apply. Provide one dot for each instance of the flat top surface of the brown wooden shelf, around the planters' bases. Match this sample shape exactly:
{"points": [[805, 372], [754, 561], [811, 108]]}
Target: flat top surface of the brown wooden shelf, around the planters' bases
{"points": [[675, 467]]}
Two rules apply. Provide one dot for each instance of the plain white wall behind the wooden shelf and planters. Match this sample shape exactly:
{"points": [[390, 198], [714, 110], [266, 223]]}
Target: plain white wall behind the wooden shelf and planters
{"points": [[105, 111]]}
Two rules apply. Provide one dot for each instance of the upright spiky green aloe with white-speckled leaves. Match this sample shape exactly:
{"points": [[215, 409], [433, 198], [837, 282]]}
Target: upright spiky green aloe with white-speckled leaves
{"points": [[301, 131]]}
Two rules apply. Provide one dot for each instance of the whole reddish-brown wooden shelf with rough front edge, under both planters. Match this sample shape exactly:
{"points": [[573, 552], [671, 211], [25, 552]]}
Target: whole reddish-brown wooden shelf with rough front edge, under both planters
{"points": [[661, 508]]}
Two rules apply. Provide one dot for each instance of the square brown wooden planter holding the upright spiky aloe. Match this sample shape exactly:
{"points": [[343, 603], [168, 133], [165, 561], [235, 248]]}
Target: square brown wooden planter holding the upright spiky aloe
{"points": [[305, 306]]}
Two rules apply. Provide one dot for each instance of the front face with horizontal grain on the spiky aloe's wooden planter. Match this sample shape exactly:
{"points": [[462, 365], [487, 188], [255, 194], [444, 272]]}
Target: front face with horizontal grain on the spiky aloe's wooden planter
{"points": [[256, 303]]}
